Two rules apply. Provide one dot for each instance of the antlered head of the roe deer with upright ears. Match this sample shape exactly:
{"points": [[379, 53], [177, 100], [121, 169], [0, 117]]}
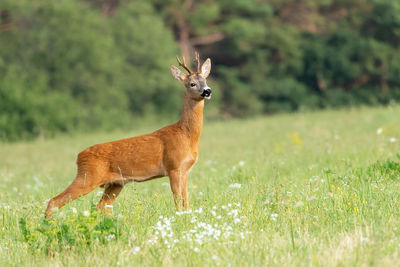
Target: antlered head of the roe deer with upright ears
{"points": [[195, 81]]}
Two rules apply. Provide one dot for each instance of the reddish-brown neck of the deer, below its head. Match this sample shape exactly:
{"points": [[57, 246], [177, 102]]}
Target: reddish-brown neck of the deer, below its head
{"points": [[191, 120]]}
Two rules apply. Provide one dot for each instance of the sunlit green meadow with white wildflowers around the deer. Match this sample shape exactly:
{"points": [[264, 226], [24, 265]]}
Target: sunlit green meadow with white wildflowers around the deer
{"points": [[317, 189]]}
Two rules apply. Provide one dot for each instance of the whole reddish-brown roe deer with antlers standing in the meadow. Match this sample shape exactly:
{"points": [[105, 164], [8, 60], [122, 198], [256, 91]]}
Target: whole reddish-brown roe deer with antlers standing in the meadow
{"points": [[172, 151]]}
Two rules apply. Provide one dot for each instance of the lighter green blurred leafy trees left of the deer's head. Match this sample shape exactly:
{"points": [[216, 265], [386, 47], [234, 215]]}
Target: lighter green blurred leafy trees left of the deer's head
{"points": [[64, 67]]}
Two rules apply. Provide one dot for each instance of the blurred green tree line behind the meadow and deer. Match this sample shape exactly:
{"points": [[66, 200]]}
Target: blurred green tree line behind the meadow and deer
{"points": [[68, 65]]}
